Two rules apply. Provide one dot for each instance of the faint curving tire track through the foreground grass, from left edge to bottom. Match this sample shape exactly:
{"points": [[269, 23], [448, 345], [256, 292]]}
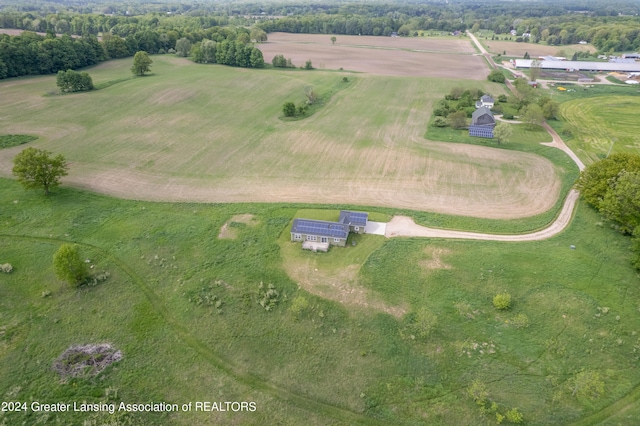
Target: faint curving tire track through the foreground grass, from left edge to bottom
{"points": [[250, 380]]}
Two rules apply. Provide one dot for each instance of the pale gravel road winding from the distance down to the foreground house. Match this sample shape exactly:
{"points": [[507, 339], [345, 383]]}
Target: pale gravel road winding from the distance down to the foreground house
{"points": [[403, 226]]}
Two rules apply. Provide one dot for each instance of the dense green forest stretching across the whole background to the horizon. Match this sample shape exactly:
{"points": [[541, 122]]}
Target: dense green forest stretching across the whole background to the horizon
{"points": [[128, 27]]}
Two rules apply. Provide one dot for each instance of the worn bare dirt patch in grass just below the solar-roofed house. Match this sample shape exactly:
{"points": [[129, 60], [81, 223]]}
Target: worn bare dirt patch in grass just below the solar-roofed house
{"points": [[340, 286]]}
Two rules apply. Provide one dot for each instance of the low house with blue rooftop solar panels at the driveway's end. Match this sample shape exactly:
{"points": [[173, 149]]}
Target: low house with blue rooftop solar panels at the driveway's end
{"points": [[320, 234]]}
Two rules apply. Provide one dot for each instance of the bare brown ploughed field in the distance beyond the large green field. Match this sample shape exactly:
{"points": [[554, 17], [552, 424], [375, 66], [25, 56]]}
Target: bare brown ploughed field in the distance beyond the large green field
{"points": [[397, 56]]}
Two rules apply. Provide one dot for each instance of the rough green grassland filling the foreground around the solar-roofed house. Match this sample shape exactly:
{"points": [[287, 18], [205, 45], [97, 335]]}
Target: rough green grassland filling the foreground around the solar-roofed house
{"points": [[326, 364]]}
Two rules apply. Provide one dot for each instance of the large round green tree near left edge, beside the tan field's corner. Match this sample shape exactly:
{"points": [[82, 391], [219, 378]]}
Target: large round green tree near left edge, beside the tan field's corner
{"points": [[35, 168]]}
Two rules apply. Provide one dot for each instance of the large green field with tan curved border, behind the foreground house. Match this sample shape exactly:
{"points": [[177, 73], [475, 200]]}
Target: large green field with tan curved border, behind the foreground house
{"points": [[211, 133]]}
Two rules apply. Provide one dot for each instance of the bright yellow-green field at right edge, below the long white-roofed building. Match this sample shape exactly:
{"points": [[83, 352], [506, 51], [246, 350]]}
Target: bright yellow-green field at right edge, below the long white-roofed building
{"points": [[603, 123]]}
